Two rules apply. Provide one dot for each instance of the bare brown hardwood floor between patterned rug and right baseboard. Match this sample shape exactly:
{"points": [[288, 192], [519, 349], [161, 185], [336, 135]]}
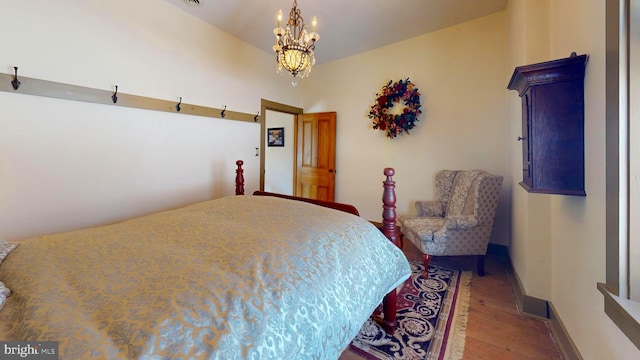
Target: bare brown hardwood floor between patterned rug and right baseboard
{"points": [[495, 329]]}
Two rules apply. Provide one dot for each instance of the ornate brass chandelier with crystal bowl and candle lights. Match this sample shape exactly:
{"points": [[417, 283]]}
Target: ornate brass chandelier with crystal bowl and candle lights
{"points": [[294, 45]]}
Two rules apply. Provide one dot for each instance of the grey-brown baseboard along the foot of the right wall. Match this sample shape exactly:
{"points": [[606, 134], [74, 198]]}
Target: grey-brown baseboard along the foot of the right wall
{"points": [[532, 306]]}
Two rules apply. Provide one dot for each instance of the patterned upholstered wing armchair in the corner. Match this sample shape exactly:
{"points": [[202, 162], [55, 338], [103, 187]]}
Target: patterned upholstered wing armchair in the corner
{"points": [[460, 219]]}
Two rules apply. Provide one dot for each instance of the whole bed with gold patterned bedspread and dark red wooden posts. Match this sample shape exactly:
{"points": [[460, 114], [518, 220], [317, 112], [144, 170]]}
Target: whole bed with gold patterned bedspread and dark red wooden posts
{"points": [[239, 277]]}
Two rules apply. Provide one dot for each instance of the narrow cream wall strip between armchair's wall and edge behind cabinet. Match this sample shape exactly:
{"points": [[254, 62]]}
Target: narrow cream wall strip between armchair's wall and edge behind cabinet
{"points": [[530, 247]]}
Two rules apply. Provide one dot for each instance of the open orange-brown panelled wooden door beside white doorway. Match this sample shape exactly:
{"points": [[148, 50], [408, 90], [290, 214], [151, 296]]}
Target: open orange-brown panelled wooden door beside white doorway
{"points": [[316, 156]]}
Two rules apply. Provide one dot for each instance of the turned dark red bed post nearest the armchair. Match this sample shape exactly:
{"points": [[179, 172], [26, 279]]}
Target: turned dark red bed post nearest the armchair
{"points": [[389, 217]]}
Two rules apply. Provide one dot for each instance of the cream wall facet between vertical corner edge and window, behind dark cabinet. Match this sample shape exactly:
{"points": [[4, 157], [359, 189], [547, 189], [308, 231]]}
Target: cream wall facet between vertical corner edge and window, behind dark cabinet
{"points": [[578, 225]]}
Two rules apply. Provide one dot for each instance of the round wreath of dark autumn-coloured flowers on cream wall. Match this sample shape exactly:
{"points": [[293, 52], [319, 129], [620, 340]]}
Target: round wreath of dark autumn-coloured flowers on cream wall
{"points": [[393, 93]]}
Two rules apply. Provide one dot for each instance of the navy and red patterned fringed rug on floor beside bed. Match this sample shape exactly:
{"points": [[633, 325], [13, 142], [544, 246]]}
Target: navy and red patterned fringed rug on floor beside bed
{"points": [[432, 318]]}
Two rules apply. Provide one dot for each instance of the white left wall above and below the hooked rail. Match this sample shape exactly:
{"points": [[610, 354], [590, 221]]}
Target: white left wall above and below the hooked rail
{"points": [[66, 165]]}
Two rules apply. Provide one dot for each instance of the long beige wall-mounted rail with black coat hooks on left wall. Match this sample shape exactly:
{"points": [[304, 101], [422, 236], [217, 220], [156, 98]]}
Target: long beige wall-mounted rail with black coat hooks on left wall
{"points": [[57, 90]]}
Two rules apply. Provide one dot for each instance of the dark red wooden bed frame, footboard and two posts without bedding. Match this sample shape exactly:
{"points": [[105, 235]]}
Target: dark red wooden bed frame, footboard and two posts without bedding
{"points": [[389, 217]]}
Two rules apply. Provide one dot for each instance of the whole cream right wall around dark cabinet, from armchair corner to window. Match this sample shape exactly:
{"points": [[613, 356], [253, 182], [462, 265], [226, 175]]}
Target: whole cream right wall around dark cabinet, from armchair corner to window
{"points": [[565, 263]]}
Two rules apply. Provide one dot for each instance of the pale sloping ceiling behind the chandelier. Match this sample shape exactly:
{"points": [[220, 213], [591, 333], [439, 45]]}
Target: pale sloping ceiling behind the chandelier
{"points": [[346, 27]]}
